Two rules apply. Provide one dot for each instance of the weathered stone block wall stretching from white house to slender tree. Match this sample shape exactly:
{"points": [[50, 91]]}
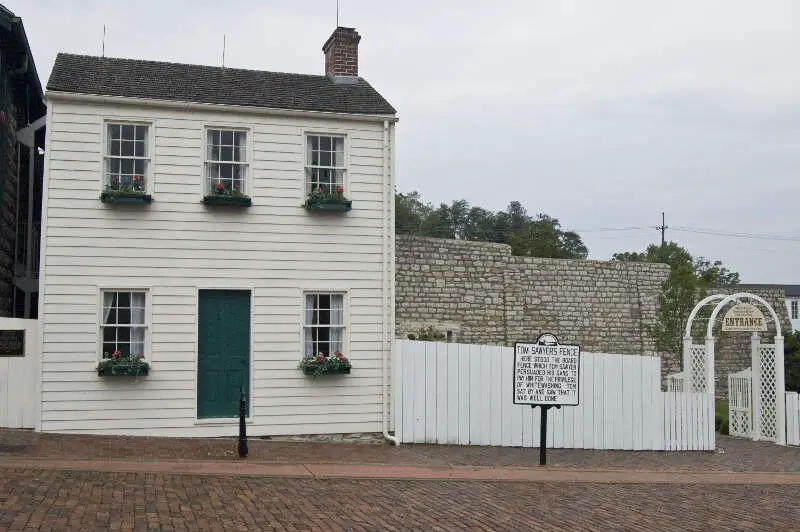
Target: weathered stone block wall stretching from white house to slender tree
{"points": [[481, 293]]}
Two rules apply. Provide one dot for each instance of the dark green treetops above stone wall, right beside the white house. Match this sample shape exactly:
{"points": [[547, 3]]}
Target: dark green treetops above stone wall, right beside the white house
{"points": [[532, 236]]}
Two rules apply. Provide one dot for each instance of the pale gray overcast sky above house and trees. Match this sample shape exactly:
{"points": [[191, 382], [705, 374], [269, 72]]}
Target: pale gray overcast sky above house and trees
{"points": [[602, 114]]}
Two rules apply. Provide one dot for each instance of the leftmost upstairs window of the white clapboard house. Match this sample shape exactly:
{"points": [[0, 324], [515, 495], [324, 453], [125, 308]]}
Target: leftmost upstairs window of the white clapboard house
{"points": [[126, 158]]}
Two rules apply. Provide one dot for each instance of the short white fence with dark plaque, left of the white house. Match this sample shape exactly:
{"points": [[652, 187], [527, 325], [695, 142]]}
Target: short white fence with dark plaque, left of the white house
{"points": [[19, 378]]}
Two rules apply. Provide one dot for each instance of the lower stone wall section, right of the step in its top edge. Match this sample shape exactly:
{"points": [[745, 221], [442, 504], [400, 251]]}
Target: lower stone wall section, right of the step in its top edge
{"points": [[603, 306]]}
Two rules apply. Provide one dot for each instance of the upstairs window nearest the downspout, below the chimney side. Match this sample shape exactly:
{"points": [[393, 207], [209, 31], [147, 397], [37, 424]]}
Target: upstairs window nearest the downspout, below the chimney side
{"points": [[325, 165]]}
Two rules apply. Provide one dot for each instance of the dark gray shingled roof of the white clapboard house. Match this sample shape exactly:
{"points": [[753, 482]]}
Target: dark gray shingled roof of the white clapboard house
{"points": [[133, 78]]}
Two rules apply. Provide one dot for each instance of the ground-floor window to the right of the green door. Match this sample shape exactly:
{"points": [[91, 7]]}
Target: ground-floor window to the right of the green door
{"points": [[323, 324]]}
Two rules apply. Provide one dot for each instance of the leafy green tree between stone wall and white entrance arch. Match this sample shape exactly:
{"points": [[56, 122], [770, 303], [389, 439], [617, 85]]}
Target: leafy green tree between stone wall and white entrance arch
{"points": [[689, 281]]}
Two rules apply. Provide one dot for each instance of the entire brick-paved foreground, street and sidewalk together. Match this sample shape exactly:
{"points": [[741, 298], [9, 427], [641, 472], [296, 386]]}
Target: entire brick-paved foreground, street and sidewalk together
{"points": [[57, 482]]}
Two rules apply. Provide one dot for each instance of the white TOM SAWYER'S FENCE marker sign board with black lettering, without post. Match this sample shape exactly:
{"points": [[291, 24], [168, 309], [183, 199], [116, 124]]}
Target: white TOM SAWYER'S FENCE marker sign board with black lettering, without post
{"points": [[546, 372]]}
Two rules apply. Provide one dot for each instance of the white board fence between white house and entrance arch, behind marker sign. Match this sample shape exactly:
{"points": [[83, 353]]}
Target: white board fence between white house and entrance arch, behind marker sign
{"points": [[463, 394]]}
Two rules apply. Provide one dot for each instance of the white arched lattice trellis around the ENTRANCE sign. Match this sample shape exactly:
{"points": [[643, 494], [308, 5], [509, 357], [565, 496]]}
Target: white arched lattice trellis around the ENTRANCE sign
{"points": [[768, 380]]}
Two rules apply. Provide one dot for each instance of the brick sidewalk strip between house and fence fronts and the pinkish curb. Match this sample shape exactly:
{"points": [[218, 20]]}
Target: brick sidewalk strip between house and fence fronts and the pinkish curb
{"points": [[739, 455]]}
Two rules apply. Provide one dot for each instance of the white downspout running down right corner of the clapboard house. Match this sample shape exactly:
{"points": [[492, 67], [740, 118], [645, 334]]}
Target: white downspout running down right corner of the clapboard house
{"points": [[388, 281]]}
